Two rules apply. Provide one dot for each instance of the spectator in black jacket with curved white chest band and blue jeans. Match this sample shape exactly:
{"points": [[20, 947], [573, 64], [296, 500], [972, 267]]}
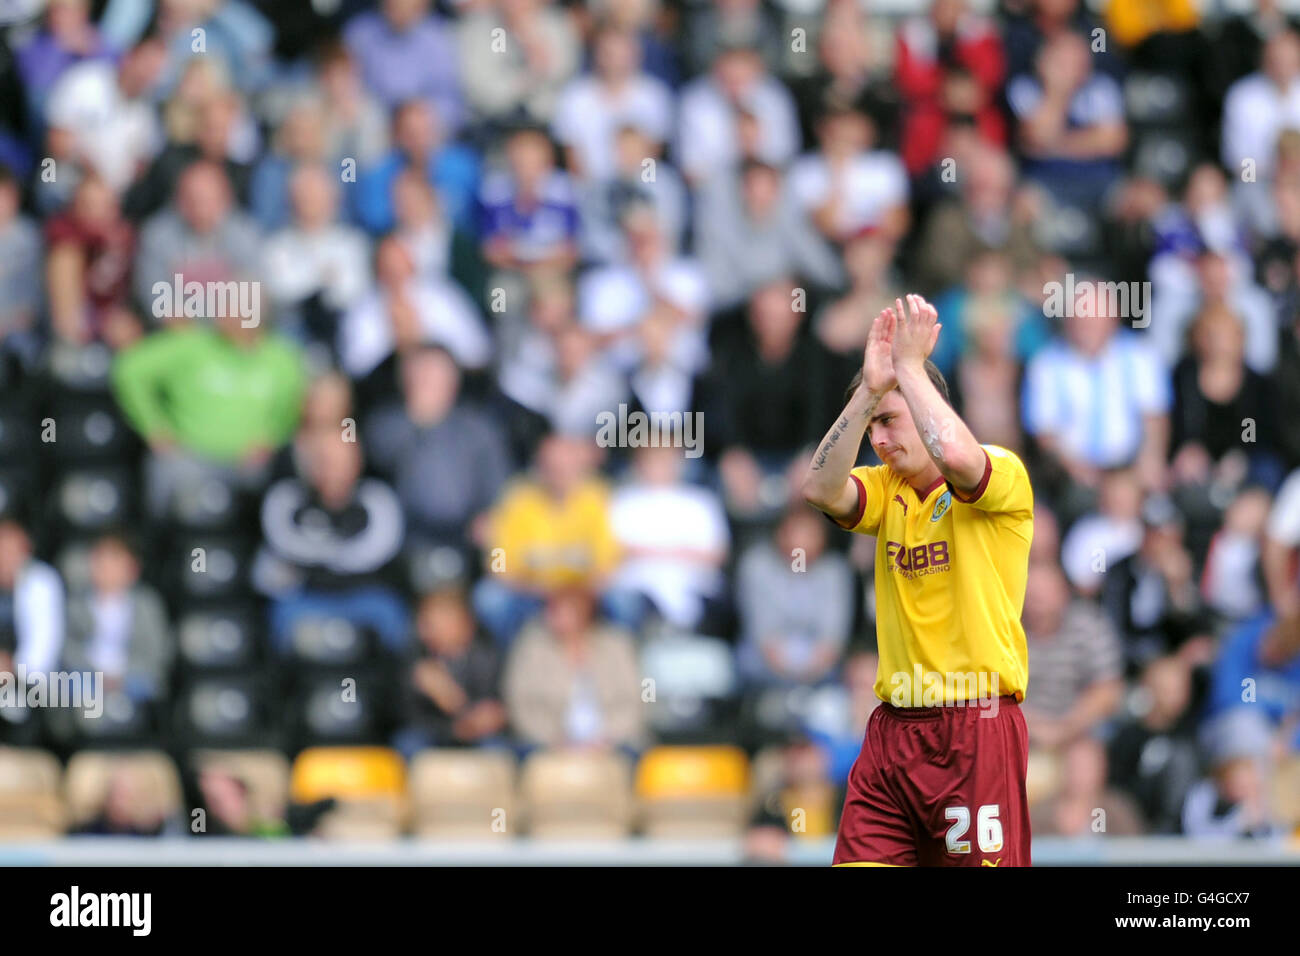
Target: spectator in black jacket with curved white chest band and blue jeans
{"points": [[330, 543]]}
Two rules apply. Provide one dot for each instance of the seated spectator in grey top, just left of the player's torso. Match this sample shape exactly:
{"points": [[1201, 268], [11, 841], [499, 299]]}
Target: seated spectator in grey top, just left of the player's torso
{"points": [[795, 602]]}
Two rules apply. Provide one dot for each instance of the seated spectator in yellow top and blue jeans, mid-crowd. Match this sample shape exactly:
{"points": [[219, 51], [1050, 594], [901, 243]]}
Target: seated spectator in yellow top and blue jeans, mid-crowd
{"points": [[548, 531]]}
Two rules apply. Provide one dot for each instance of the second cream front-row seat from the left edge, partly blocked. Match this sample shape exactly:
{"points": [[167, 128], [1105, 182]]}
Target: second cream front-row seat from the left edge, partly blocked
{"points": [[153, 777]]}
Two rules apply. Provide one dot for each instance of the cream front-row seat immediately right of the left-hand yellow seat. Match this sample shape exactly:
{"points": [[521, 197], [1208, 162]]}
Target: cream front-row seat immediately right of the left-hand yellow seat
{"points": [[463, 794]]}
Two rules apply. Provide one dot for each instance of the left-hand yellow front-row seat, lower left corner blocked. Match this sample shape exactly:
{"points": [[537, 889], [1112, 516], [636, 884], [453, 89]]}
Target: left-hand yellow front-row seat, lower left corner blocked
{"points": [[370, 784]]}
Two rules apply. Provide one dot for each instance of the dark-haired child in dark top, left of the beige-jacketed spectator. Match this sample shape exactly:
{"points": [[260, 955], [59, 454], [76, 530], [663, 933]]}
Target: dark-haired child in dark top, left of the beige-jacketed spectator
{"points": [[450, 687]]}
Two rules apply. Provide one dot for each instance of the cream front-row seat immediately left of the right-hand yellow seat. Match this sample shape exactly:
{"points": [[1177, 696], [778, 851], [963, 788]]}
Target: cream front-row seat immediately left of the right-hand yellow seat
{"points": [[578, 795]]}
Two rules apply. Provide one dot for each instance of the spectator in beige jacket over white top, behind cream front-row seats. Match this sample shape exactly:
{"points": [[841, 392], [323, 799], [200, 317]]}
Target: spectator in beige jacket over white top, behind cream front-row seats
{"points": [[573, 681]]}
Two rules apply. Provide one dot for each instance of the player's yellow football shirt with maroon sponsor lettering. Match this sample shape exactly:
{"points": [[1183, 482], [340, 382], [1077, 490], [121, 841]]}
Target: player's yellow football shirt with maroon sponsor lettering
{"points": [[950, 582]]}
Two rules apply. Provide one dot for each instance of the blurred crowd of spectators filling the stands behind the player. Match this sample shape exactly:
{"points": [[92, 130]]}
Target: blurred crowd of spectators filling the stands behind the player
{"points": [[374, 509]]}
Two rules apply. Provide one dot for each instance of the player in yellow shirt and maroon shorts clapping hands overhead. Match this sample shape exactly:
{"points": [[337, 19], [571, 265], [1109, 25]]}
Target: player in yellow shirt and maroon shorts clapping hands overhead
{"points": [[941, 777]]}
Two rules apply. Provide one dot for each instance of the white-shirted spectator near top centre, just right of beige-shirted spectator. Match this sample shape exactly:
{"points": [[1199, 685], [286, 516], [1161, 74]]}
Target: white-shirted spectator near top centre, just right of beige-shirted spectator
{"points": [[593, 107]]}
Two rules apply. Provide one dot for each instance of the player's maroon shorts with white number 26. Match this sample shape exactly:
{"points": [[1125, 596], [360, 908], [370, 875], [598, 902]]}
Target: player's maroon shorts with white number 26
{"points": [[939, 788]]}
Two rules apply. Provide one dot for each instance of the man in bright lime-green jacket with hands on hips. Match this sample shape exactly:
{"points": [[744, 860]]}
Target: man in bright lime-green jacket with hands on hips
{"points": [[213, 397]]}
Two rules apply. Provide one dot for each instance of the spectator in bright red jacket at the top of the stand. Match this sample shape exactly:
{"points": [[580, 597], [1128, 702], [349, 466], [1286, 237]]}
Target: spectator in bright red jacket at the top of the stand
{"points": [[950, 68]]}
